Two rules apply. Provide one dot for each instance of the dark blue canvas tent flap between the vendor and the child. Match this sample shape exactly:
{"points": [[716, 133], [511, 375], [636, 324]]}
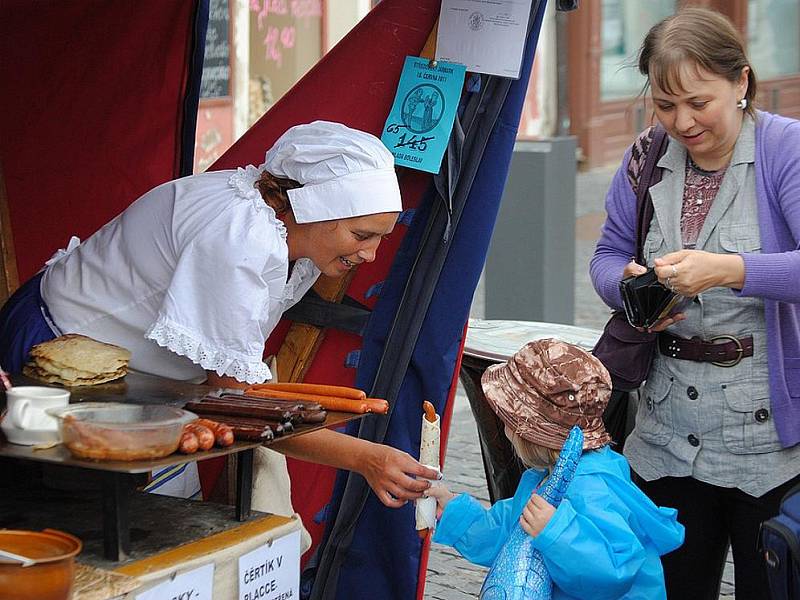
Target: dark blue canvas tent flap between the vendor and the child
{"points": [[412, 342]]}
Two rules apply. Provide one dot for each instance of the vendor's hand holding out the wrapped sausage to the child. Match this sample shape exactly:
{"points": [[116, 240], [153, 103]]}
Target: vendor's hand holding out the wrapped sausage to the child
{"points": [[389, 471]]}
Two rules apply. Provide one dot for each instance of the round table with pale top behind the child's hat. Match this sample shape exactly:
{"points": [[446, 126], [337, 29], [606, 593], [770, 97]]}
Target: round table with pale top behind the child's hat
{"points": [[490, 342]]}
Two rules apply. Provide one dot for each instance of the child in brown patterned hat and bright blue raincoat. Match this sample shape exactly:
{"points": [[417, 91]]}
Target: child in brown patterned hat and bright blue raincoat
{"points": [[605, 538]]}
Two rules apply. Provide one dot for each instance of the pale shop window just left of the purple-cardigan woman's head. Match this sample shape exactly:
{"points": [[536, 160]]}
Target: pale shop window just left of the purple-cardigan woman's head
{"points": [[624, 25]]}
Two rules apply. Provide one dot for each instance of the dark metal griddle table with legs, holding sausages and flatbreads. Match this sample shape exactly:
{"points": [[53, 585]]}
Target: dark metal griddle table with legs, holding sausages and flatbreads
{"points": [[119, 479]]}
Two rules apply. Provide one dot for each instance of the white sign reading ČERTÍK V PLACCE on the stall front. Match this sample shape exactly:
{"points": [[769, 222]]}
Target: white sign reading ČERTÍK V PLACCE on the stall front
{"points": [[271, 572]]}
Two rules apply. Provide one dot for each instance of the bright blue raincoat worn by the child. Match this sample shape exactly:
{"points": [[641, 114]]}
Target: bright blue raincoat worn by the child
{"points": [[603, 542]]}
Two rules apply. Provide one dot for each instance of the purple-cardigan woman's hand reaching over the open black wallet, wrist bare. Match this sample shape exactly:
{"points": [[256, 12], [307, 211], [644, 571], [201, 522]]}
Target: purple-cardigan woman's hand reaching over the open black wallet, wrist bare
{"points": [[691, 272]]}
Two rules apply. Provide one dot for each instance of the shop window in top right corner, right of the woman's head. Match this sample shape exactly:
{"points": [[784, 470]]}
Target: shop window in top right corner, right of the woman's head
{"points": [[773, 37]]}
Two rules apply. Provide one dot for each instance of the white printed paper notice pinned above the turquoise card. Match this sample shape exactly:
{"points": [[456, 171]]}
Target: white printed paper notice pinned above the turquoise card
{"points": [[488, 36]]}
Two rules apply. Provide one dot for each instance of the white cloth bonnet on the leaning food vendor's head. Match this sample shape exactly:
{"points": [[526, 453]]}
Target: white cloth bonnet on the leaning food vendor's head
{"points": [[344, 172]]}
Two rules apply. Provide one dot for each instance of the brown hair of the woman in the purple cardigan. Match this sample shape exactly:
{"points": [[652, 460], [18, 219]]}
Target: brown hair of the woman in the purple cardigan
{"points": [[699, 35]]}
